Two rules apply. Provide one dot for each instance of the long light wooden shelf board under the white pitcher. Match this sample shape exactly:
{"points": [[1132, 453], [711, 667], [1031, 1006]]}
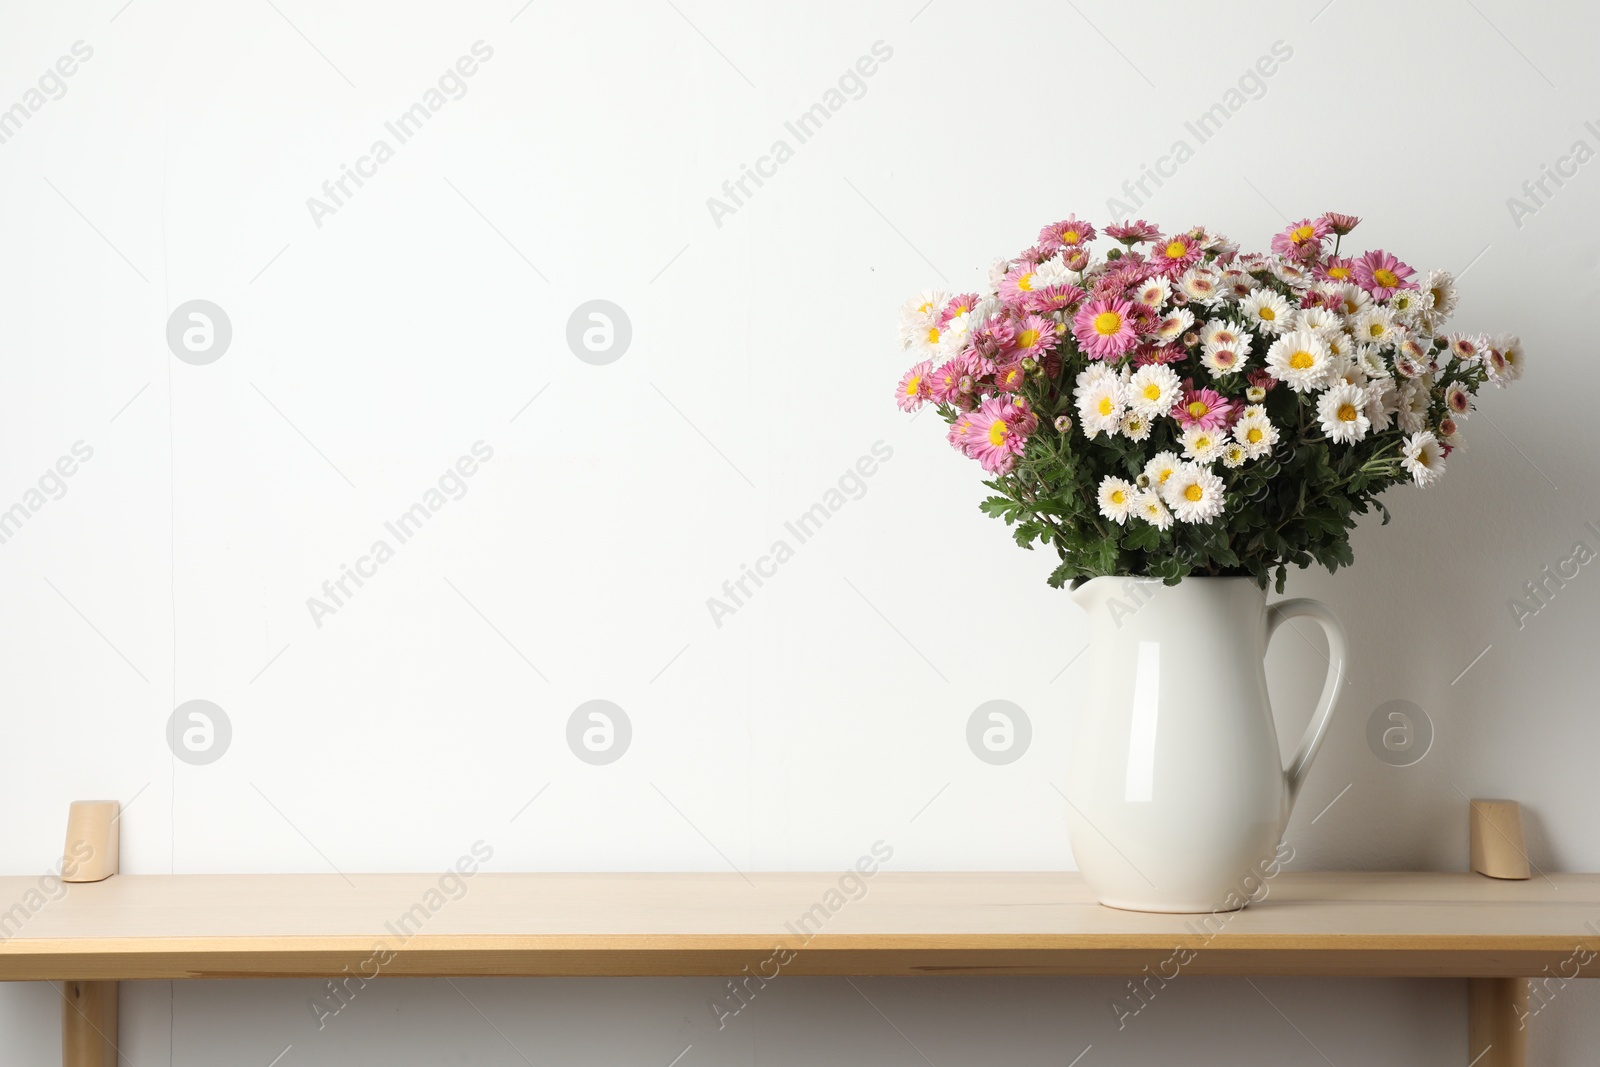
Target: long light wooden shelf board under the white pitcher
{"points": [[214, 927]]}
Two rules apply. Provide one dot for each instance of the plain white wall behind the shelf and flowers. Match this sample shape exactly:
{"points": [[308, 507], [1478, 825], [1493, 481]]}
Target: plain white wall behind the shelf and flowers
{"points": [[372, 351]]}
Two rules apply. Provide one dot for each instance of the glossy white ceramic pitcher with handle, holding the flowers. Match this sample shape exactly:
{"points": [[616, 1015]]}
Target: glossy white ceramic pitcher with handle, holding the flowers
{"points": [[1177, 794]]}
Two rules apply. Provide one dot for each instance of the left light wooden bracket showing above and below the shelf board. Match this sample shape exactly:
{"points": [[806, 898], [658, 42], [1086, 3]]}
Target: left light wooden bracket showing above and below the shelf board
{"points": [[89, 1010]]}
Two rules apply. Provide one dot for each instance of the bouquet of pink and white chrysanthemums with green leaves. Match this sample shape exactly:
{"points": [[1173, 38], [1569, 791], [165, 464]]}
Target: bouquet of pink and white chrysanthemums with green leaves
{"points": [[1198, 410]]}
